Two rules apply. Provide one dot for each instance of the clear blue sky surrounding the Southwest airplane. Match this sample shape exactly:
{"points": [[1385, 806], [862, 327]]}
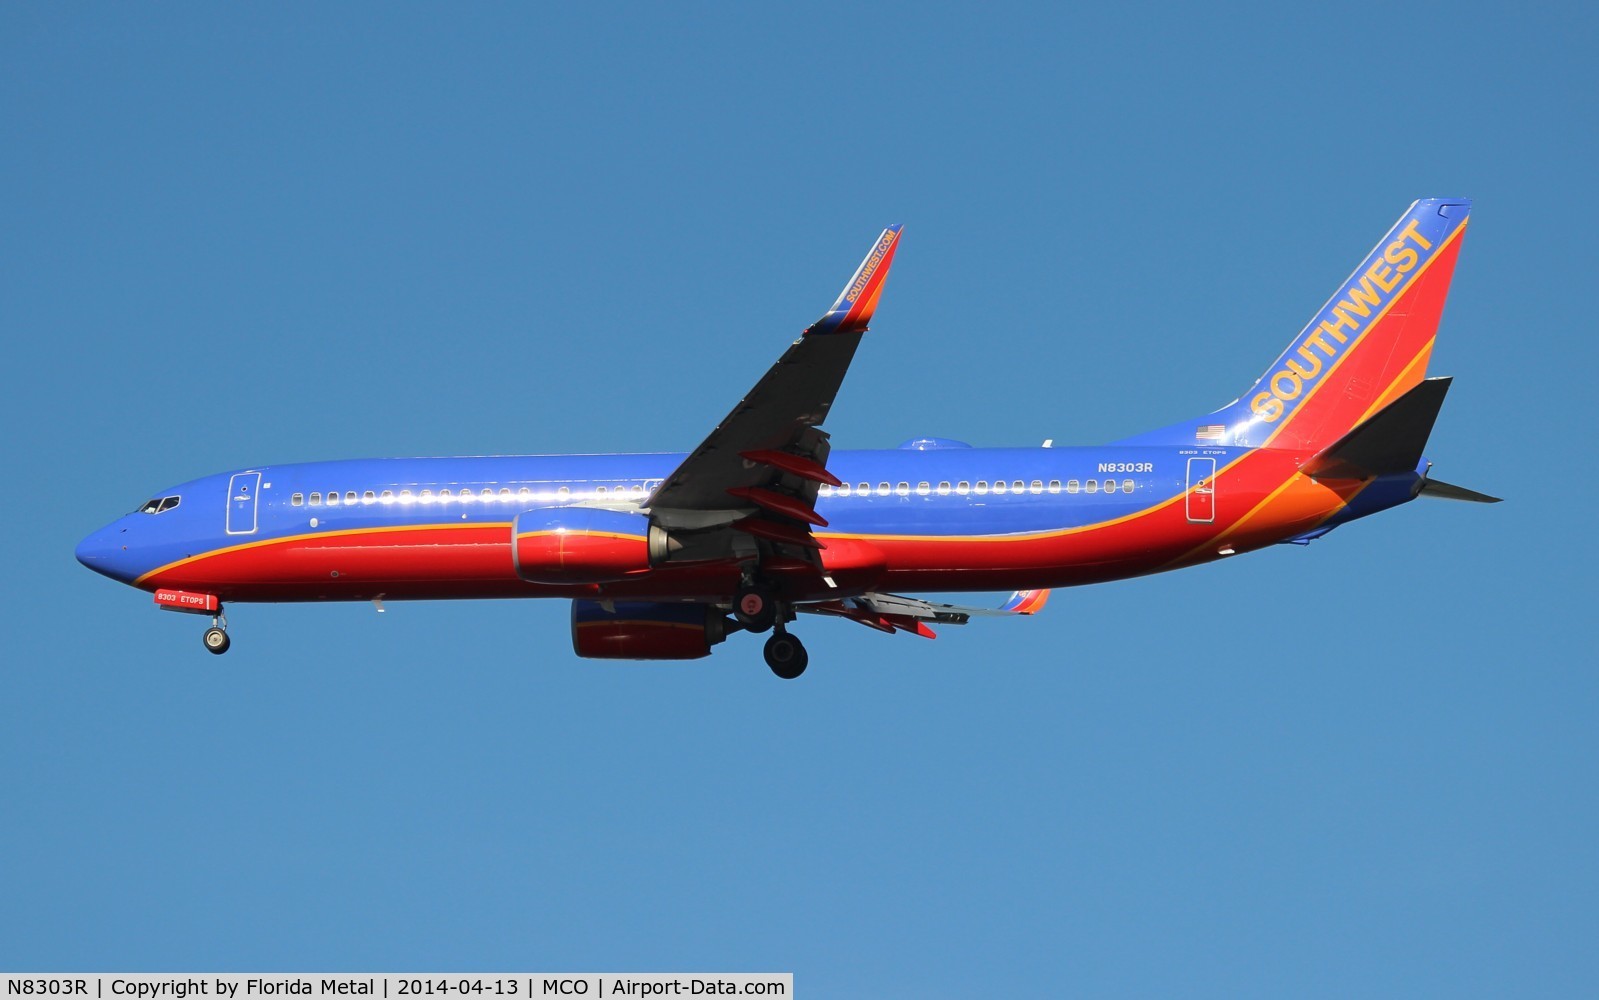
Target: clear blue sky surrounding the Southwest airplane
{"points": [[244, 236]]}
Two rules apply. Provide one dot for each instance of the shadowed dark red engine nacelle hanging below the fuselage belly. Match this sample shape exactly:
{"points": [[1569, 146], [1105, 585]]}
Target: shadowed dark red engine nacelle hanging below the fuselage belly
{"points": [[645, 630]]}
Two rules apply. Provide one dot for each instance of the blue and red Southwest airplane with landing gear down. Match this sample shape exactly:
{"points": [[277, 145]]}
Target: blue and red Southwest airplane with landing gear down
{"points": [[666, 556]]}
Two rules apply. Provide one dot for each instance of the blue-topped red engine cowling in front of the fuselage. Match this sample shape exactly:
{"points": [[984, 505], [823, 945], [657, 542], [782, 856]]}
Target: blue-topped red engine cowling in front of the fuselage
{"points": [[580, 545]]}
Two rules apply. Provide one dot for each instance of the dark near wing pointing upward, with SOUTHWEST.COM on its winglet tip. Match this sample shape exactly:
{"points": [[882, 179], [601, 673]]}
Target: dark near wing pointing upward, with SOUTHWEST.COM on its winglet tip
{"points": [[760, 468]]}
